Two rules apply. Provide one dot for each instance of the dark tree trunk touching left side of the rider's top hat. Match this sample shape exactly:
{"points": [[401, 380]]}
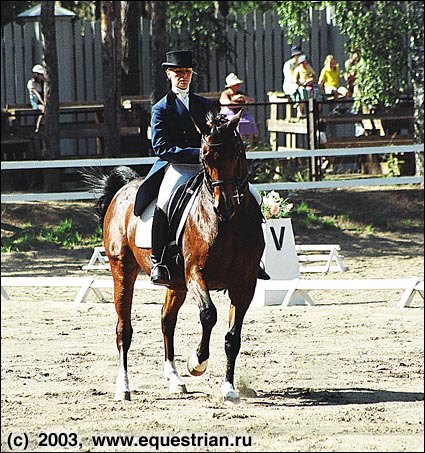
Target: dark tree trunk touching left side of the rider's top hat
{"points": [[159, 47]]}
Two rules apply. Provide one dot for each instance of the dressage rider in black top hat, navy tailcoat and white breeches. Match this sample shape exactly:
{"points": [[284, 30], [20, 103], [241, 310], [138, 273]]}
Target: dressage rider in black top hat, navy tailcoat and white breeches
{"points": [[176, 141]]}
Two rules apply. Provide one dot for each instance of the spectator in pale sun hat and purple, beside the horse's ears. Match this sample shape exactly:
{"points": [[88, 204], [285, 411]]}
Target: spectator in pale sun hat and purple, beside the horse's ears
{"points": [[231, 96]]}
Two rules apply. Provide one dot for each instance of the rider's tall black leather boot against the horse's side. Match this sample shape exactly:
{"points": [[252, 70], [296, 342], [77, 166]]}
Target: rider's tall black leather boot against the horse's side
{"points": [[159, 272]]}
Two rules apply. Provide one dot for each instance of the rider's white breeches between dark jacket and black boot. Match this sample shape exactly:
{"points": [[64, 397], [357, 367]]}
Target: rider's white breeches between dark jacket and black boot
{"points": [[177, 174]]}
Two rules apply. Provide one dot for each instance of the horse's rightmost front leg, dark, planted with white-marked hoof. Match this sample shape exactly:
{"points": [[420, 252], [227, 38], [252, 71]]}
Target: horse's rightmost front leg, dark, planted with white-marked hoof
{"points": [[239, 306]]}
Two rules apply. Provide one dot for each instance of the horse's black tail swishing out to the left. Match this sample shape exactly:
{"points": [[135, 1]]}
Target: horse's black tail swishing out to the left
{"points": [[107, 185]]}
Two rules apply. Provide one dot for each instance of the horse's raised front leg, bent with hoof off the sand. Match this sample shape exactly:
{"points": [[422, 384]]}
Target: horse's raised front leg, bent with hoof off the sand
{"points": [[198, 360]]}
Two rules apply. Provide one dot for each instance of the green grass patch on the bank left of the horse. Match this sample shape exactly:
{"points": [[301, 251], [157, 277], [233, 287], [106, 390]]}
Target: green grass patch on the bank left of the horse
{"points": [[63, 234]]}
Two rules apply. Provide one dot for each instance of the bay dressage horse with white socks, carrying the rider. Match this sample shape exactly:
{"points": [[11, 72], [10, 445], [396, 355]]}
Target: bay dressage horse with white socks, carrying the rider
{"points": [[222, 246]]}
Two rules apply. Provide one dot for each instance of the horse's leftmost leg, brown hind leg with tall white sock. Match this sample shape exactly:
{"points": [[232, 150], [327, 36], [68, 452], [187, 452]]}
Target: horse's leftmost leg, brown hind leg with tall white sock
{"points": [[124, 275]]}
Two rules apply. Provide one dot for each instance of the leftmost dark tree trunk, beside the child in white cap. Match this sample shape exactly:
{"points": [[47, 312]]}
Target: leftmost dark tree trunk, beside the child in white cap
{"points": [[51, 94]]}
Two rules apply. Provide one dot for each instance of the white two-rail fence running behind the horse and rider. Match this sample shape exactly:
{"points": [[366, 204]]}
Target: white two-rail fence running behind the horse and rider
{"points": [[81, 163]]}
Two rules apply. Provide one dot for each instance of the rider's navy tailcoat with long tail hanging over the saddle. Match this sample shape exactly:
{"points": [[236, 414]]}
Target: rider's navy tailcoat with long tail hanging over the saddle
{"points": [[175, 140]]}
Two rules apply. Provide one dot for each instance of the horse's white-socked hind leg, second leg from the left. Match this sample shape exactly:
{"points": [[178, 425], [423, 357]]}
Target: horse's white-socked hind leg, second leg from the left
{"points": [[173, 301]]}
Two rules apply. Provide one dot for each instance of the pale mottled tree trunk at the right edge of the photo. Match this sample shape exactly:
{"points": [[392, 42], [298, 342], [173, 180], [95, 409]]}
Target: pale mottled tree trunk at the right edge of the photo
{"points": [[416, 13]]}
